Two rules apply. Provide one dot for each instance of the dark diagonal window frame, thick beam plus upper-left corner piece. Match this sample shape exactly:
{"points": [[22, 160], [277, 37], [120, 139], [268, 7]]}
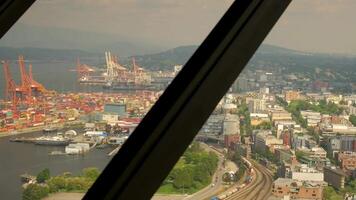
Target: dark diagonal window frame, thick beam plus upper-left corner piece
{"points": [[152, 150]]}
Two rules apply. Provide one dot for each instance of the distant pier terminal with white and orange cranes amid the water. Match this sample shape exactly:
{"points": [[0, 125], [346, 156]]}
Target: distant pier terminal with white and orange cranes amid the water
{"points": [[118, 77]]}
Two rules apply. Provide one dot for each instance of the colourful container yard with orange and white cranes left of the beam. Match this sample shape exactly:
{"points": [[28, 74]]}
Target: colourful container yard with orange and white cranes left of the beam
{"points": [[29, 106]]}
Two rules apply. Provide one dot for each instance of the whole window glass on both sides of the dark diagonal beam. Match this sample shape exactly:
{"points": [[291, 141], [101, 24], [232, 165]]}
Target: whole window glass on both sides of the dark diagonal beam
{"points": [[80, 75]]}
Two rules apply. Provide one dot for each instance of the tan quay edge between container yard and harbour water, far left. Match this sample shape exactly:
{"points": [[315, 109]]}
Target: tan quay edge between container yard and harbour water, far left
{"points": [[36, 129]]}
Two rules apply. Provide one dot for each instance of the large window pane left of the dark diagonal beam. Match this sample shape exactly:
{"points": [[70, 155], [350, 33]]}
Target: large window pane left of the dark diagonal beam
{"points": [[78, 76]]}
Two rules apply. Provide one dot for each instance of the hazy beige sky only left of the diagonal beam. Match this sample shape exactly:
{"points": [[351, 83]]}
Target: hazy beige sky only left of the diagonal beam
{"points": [[162, 21]]}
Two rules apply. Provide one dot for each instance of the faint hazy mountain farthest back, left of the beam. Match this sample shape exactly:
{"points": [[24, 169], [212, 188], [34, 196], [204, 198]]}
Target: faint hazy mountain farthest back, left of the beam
{"points": [[21, 35]]}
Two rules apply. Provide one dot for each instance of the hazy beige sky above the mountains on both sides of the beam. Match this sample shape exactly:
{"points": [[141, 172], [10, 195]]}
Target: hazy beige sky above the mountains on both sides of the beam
{"points": [[311, 25]]}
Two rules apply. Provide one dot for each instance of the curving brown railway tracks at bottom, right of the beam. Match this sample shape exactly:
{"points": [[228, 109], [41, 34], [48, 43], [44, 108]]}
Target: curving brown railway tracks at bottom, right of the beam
{"points": [[259, 188]]}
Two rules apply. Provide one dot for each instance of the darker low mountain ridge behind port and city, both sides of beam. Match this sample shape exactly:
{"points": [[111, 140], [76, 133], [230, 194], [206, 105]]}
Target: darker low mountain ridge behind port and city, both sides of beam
{"points": [[266, 55]]}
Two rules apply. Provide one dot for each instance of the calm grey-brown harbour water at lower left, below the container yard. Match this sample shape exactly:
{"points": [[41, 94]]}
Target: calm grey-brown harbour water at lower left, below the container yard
{"points": [[20, 158]]}
